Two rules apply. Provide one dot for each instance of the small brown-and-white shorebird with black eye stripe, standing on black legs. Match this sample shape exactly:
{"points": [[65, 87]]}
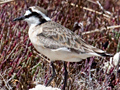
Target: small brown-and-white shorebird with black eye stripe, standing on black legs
{"points": [[56, 41]]}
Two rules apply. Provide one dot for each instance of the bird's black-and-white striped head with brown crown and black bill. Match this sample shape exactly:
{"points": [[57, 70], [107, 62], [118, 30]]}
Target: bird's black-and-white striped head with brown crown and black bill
{"points": [[34, 15]]}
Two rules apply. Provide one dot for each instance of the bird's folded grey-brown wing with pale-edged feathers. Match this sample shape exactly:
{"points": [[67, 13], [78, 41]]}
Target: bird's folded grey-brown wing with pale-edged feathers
{"points": [[56, 36]]}
